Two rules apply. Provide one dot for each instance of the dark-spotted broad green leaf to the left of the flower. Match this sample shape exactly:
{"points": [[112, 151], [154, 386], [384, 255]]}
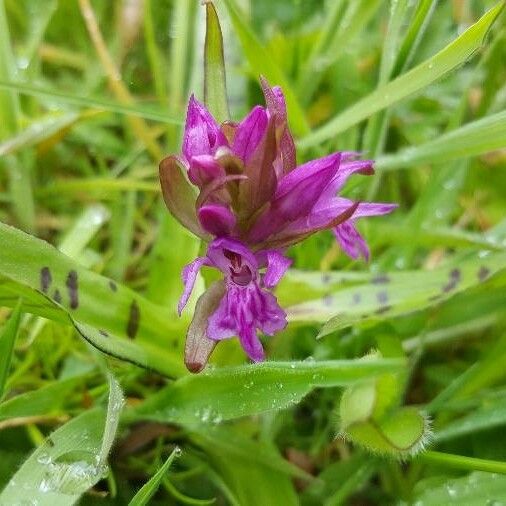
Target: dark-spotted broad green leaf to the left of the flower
{"points": [[101, 311]]}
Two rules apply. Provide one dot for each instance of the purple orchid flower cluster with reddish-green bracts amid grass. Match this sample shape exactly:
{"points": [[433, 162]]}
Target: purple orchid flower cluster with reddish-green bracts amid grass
{"points": [[238, 187]]}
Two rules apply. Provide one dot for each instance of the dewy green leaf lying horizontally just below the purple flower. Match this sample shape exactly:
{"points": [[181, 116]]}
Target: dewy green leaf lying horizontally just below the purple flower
{"points": [[232, 392]]}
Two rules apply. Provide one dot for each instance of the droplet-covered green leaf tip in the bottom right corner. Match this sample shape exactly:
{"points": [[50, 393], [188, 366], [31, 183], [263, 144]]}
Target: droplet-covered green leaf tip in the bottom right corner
{"points": [[476, 489]]}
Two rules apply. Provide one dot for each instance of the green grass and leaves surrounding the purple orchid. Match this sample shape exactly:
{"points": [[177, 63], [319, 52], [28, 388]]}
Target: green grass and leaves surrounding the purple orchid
{"points": [[92, 96]]}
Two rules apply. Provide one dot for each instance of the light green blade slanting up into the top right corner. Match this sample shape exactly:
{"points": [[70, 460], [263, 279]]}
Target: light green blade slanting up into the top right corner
{"points": [[411, 82]]}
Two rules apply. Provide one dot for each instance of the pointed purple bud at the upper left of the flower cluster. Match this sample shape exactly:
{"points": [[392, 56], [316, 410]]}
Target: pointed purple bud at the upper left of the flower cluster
{"points": [[202, 134]]}
